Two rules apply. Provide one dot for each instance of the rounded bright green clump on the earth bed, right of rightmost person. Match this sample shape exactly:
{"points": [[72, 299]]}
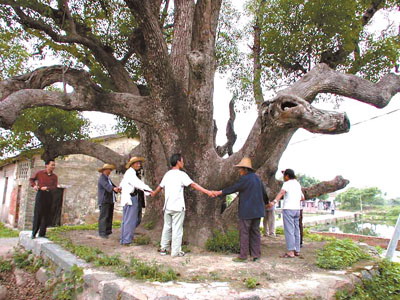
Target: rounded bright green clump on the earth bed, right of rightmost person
{"points": [[339, 254]]}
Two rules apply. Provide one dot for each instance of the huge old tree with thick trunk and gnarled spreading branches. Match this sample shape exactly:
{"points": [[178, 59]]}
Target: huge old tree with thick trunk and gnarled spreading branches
{"points": [[154, 62]]}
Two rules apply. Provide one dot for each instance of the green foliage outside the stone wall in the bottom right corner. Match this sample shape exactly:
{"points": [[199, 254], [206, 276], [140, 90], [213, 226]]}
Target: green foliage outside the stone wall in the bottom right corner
{"points": [[385, 285]]}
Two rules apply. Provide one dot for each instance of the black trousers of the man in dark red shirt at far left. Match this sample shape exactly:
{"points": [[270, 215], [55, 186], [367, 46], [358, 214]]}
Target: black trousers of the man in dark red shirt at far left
{"points": [[41, 212]]}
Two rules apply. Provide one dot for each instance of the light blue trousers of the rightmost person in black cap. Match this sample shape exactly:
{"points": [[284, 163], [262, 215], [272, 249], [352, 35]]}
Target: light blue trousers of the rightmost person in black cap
{"points": [[292, 229]]}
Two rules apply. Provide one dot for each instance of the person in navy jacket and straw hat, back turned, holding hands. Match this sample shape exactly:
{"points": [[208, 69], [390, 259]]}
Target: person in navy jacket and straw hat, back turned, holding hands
{"points": [[252, 201]]}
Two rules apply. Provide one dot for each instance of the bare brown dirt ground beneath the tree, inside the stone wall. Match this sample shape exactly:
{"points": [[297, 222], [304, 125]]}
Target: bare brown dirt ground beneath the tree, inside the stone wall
{"points": [[201, 266]]}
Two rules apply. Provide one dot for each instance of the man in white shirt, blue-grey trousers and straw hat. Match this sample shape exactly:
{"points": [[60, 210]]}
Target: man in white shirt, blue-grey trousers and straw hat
{"points": [[133, 190]]}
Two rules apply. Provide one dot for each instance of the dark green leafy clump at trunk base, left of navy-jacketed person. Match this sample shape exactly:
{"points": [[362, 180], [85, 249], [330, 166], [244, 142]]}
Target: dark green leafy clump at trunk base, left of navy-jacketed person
{"points": [[224, 242]]}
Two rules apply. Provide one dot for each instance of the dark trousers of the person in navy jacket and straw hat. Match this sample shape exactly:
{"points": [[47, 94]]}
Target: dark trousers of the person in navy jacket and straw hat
{"points": [[250, 238]]}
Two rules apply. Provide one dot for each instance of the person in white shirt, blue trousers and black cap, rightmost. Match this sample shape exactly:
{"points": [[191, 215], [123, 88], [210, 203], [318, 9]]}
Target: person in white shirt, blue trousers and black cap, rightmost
{"points": [[292, 195]]}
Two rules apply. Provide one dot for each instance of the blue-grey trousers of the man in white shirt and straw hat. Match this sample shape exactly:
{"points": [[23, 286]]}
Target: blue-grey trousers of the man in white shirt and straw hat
{"points": [[131, 218]]}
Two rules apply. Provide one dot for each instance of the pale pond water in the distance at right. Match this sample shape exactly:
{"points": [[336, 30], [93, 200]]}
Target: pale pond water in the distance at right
{"points": [[359, 227]]}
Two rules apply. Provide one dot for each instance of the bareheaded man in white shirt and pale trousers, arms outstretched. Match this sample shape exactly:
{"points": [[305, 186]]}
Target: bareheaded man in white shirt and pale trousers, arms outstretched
{"points": [[174, 182]]}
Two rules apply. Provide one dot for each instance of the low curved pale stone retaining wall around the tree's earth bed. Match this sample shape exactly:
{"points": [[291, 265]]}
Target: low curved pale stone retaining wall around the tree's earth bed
{"points": [[103, 285]]}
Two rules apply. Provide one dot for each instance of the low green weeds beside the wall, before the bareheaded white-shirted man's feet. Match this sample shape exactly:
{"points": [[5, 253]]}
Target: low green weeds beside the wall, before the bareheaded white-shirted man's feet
{"points": [[144, 271]]}
